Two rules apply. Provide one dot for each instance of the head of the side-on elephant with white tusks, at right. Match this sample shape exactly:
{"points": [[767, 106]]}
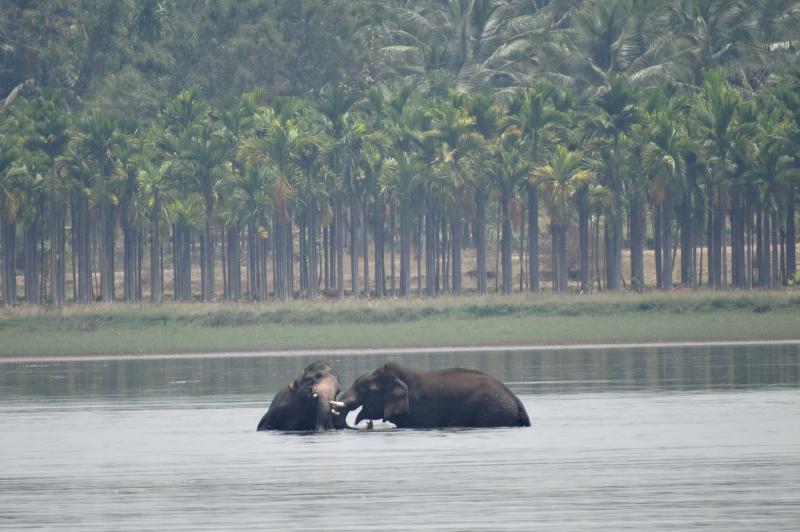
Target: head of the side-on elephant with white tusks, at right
{"points": [[382, 394]]}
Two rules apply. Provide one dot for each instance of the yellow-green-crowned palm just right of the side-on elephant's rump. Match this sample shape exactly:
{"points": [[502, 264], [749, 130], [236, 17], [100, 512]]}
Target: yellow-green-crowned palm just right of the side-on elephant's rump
{"points": [[561, 182]]}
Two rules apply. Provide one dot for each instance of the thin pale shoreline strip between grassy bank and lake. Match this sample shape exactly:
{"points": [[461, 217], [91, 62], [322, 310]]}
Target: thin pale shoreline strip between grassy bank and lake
{"points": [[386, 351]]}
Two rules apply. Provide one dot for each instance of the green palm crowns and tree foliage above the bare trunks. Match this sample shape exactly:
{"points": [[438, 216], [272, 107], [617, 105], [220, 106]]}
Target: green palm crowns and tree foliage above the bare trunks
{"points": [[218, 113]]}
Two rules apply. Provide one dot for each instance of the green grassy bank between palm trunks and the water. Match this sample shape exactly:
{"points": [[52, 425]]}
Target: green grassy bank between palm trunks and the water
{"points": [[604, 318]]}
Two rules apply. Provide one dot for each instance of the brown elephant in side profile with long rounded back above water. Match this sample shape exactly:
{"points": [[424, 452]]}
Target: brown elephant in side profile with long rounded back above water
{"points": [[454, 397]]}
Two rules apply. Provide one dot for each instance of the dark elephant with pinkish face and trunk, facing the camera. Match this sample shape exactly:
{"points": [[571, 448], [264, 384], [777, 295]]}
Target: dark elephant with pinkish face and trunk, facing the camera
{"points": [[303, 404]]}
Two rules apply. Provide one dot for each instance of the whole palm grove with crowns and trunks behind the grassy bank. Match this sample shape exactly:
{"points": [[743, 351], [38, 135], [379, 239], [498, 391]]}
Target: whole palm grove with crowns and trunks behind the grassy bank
{"points": [[254, 150]]}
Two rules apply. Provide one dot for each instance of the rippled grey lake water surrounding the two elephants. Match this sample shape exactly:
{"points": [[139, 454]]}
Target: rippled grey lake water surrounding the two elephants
{"points": [[623, 439]]}
